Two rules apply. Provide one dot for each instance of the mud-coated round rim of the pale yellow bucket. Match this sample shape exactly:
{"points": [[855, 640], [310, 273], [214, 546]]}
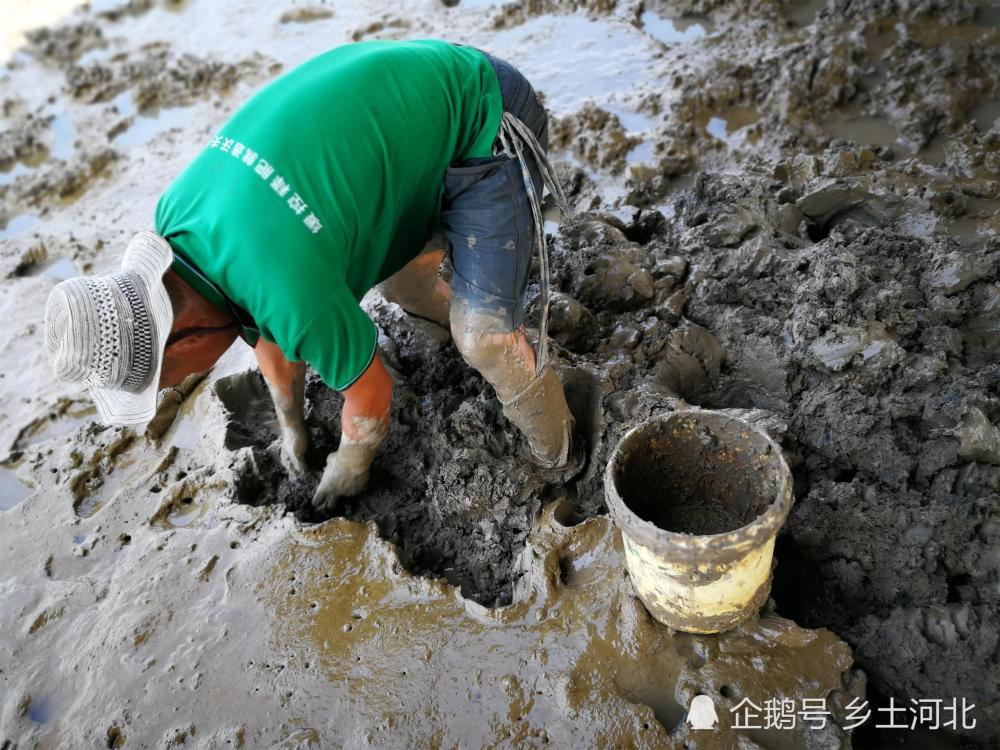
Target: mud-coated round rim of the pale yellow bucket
{"points": [[757, 531]]}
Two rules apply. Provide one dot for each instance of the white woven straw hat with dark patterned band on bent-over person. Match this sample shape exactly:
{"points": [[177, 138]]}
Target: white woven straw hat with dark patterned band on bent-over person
{"points": [[109, 331]]}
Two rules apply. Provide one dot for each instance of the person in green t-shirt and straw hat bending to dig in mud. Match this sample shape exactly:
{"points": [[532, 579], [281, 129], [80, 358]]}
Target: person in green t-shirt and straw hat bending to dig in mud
{"points": [[331, 180]]}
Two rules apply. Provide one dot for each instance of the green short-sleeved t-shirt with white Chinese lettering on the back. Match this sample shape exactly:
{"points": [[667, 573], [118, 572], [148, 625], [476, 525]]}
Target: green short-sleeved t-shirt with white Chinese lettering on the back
{"points": [[328, 181]]}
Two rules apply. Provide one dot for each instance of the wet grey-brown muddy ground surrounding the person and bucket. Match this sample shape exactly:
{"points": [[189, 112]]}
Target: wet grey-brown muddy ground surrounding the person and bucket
{"points": [[787, 209]]}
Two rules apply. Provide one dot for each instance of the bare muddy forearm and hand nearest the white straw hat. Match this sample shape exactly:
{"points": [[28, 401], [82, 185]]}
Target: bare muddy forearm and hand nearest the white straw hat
{"points": [[286, 382]]}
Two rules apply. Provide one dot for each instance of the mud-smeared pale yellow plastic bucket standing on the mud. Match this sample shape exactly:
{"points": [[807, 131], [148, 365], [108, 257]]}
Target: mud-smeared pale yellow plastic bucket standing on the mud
{"points": [[699, 497]]}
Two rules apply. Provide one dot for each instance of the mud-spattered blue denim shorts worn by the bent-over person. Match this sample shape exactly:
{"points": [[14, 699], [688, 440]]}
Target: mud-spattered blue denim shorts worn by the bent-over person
{"points": [[487, 219]]}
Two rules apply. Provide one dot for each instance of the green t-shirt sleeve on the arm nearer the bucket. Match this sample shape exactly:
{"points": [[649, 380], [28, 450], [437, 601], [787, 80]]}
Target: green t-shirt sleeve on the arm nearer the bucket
{"points": [[339, 342]]}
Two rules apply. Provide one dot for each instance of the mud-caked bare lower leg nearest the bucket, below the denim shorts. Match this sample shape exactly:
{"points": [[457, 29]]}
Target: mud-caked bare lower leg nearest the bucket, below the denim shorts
{"points": [[535, 403]]}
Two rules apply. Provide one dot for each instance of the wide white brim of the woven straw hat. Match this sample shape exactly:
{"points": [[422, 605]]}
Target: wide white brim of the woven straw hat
{"points": [[149, 257]]}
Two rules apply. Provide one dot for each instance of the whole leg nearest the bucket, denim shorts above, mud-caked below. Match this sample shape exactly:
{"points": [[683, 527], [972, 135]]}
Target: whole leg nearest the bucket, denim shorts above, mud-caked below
{"points": [[488, 220]]}
